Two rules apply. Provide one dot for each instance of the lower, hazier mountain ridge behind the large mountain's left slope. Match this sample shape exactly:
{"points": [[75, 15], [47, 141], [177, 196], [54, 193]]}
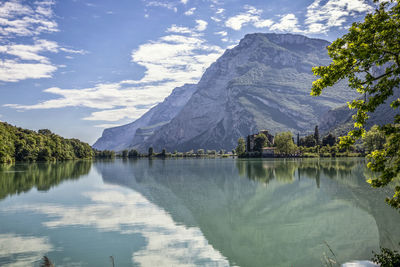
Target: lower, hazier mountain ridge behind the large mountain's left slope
{"points": [[121, 137]]}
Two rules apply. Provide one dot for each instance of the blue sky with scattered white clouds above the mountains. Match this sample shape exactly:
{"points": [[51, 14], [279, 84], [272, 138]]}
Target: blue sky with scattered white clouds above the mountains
{"points": [[78, 66]]}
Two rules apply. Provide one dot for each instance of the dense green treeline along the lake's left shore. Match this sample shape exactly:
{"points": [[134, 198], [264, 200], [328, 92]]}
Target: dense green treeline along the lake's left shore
{"points": [[18, 144]]}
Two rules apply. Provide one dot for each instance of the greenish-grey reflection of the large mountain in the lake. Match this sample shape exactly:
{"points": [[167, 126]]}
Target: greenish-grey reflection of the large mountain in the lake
{"points": [[268, 211]]}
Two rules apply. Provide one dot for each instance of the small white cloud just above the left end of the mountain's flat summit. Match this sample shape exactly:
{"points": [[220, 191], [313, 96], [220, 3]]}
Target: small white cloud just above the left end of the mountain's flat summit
{"points": [[250, 16]]}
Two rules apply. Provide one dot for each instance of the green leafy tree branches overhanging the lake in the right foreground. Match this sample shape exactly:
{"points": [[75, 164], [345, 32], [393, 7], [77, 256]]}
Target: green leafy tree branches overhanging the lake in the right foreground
{"points": [[369, 57]]}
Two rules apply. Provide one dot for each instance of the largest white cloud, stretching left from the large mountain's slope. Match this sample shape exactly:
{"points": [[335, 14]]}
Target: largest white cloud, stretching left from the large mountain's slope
{"points": [[170, 61]]}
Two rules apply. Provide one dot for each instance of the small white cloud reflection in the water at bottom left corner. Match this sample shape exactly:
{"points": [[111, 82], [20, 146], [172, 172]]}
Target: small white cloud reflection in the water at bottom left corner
{"points": [[24, 250]]}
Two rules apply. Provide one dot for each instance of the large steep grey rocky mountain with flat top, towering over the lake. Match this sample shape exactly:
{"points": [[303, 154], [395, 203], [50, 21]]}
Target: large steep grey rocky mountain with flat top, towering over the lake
{"points": [[262, 83]]}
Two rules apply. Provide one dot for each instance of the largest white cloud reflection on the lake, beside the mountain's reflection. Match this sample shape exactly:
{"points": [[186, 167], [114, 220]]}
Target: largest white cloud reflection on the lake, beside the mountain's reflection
{"points": [[168, 244]]}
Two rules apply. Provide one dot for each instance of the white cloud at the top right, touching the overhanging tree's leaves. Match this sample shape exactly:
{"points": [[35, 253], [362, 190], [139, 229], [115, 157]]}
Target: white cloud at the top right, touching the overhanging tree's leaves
{"points": [[321, 16]]}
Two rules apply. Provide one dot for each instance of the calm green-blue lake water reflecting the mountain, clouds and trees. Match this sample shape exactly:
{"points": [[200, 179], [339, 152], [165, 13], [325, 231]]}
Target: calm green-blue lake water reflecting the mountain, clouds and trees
{"points": [[189, 212]]}
